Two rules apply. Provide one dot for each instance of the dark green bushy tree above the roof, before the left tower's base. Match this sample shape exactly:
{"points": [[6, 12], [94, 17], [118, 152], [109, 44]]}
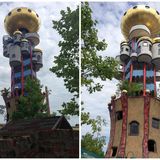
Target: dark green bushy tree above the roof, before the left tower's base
{"points": [[32, 105]]}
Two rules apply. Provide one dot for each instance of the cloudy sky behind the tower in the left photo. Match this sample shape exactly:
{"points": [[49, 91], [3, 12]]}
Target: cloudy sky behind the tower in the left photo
{"points": [[49, 39]]}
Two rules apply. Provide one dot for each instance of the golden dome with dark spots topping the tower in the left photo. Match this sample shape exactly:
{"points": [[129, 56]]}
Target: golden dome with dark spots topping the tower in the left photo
{"points": [[21, 18]]}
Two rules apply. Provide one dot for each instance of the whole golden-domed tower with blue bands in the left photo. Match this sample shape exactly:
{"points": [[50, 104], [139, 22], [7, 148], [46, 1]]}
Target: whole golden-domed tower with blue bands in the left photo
{"points": [[22, 25]]}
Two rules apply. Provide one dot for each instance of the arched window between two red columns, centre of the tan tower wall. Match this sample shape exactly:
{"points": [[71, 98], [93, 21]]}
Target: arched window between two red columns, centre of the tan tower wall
{"points": [[134, 128]]}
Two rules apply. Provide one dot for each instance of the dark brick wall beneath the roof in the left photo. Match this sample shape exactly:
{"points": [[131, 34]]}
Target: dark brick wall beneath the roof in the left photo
{"points": [[49, 143]]}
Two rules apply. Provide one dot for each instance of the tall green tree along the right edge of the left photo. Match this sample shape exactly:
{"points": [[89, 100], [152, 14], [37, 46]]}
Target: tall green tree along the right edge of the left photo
{"points": [[66, 64]]}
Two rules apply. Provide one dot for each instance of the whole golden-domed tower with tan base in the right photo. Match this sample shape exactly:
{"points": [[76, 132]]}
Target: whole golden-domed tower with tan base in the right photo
{"points": [[135, 120]]}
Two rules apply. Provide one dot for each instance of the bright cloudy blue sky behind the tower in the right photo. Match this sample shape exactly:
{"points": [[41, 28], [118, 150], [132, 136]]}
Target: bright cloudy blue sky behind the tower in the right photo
{"points": [[108, 15]]}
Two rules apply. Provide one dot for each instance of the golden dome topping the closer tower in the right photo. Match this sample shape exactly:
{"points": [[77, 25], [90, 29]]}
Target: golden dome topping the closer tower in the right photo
{"points": [[141, 15]]}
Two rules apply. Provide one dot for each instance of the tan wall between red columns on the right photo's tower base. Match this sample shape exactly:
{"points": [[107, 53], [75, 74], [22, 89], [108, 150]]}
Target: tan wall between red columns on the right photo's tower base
{"points": [[134, 145]]}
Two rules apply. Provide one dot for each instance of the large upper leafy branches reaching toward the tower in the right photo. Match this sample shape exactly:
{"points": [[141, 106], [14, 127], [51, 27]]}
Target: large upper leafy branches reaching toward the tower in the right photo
{"points": [[93, 65]]}
